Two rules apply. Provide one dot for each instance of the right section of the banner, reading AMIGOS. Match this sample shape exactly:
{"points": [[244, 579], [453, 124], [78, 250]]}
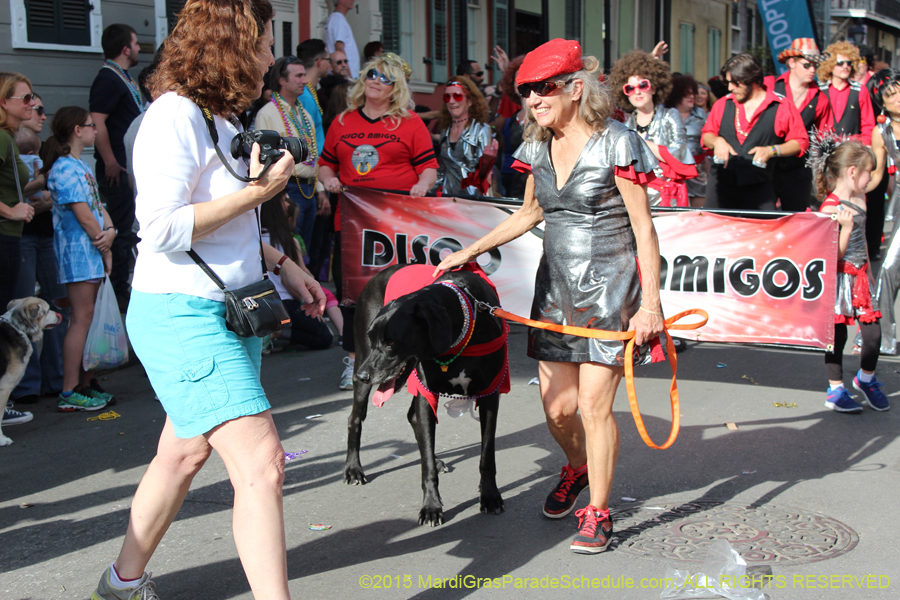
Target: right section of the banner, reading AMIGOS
{"points": [[761, 281]]}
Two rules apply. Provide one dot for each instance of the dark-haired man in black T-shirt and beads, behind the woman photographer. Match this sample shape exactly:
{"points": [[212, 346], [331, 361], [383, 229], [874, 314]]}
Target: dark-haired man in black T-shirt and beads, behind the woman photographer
{"points": [[115, 101]]}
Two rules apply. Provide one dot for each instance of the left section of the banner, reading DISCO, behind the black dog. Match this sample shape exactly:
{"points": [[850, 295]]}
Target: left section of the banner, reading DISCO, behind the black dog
{"points": [[380, 229]]}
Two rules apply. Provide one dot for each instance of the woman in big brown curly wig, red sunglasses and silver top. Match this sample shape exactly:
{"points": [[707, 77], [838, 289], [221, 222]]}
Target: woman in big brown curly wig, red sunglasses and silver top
{"points": [[642, 83]]}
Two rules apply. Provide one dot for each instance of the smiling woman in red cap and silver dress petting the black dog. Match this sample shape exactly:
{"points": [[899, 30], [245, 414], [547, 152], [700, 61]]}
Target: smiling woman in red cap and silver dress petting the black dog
{"points": [[587, 183]]}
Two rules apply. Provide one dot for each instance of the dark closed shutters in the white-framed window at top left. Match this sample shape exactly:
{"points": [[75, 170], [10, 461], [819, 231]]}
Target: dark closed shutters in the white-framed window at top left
{"points": [[58, 22]]}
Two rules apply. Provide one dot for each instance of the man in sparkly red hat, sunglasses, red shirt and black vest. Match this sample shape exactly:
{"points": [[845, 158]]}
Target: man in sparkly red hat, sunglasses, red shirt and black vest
{"points": [[792, 179]]}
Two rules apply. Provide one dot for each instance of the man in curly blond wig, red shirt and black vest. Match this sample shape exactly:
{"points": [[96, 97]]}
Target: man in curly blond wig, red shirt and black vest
{"points": [[851, 105]]}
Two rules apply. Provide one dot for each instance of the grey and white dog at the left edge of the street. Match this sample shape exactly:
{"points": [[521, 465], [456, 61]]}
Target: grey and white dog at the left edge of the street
{"points": [[23, 323]]}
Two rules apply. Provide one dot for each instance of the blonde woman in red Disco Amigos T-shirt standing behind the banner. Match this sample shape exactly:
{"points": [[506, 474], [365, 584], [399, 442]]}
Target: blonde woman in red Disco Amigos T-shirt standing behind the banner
{"points": [[376, 143]]}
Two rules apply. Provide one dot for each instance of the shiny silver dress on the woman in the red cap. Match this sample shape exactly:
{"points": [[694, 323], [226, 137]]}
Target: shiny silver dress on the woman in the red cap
{"points": [[588, 275]]}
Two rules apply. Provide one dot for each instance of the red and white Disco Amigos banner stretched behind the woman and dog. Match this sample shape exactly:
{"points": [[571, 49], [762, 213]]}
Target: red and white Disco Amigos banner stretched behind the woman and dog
{"points": [[762, 281]]}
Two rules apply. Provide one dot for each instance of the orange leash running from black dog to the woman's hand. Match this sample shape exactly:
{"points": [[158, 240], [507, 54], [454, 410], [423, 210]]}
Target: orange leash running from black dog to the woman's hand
{"points": [[670, 323]]}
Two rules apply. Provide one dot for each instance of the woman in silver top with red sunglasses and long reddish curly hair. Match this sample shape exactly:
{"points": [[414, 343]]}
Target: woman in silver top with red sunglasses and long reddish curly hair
{"points": [[465, 139]]}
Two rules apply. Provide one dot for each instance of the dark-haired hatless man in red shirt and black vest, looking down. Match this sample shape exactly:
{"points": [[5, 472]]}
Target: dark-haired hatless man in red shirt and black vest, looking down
{"points": [[746, 129]]}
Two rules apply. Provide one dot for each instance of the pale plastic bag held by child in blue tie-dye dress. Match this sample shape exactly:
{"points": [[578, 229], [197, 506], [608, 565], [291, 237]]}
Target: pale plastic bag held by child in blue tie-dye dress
{"points": [[107, 345]]}
